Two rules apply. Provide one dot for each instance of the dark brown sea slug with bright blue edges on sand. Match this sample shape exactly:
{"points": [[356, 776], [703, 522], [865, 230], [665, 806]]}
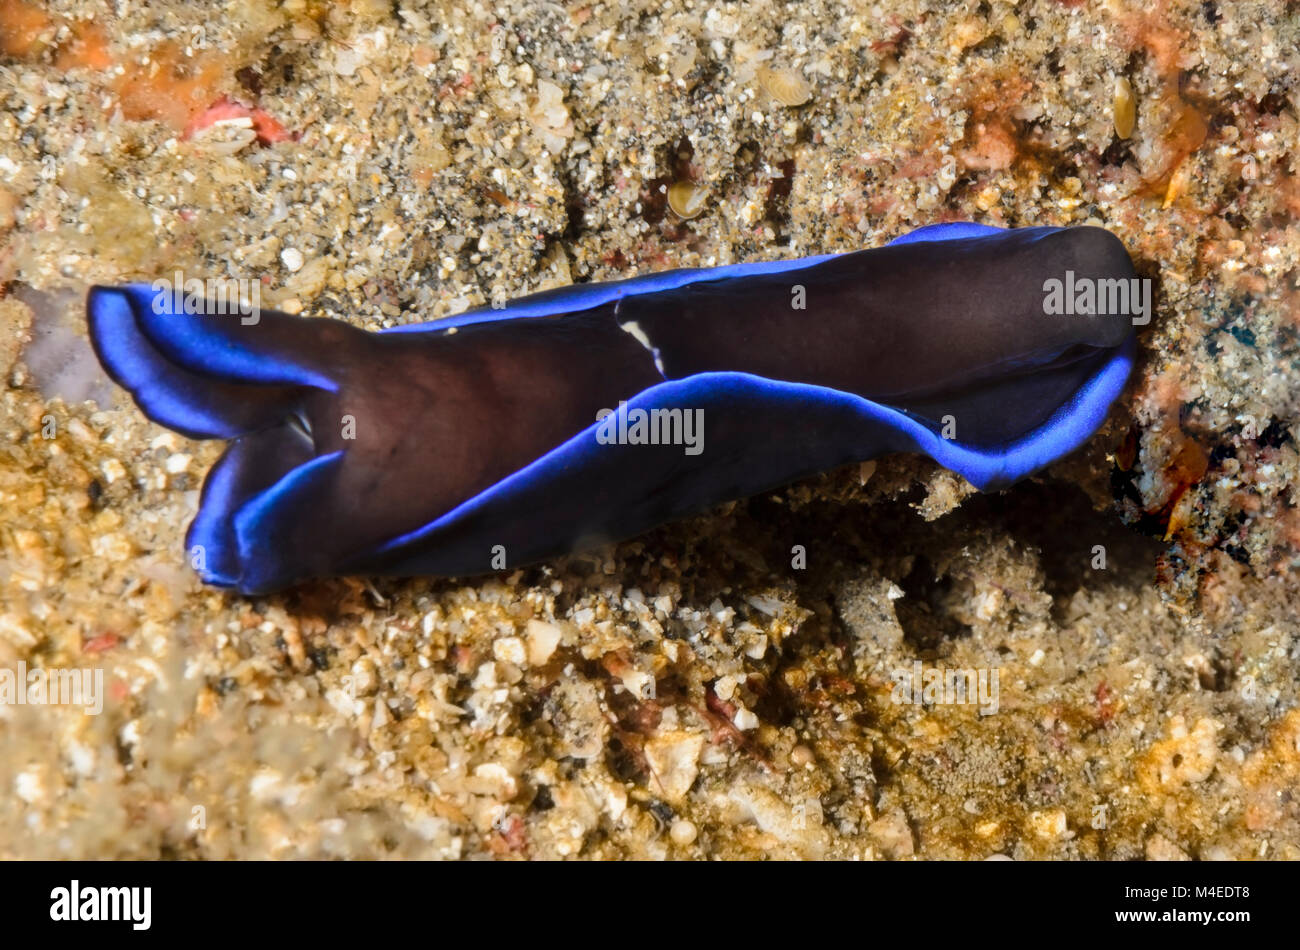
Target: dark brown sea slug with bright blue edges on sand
{"points": [[595, 413]]}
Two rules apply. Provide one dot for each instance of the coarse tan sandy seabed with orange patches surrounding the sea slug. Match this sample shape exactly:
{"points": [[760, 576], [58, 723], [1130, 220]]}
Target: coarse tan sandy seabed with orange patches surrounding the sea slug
{"points": [[692, 693]]}
